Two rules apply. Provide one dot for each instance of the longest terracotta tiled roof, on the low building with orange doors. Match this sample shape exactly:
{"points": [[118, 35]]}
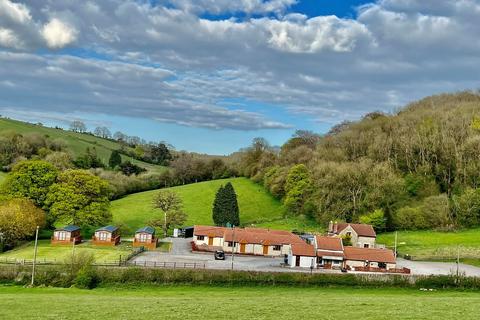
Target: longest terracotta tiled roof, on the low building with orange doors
{"points": [[252, 235]]}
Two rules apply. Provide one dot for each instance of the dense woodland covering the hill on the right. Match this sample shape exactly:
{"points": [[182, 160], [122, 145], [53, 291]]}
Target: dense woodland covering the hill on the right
{"points": [[416, 169]]}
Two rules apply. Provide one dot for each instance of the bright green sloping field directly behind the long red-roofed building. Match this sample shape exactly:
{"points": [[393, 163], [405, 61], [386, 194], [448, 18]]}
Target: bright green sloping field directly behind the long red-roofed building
{"points": [[257, 206]]}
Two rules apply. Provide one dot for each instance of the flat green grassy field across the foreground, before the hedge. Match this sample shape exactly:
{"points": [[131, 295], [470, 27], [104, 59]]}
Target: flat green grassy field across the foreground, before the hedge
{"points": [[236, 303]]}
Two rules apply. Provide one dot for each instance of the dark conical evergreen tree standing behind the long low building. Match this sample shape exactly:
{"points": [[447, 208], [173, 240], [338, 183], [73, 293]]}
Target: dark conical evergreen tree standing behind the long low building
{"points": [[225, 207]]}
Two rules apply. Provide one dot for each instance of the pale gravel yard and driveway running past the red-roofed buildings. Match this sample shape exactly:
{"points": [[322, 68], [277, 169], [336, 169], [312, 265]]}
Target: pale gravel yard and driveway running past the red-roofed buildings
{"points": [[181, 253]]}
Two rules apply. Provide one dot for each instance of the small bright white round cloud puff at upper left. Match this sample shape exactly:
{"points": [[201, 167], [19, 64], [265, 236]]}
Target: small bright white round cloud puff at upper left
{"points": [[58, 34]]}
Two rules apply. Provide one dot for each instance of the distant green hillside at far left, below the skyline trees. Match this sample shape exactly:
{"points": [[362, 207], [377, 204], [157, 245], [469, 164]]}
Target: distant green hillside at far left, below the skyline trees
{"points": [[77, 143]]}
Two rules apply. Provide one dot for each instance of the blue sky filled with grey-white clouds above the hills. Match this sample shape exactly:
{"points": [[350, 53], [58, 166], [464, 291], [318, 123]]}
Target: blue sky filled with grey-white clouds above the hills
{"points": [[210, 75]]}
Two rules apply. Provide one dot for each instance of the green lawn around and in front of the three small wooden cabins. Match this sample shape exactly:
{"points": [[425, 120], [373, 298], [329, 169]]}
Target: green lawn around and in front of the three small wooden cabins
{"points": [[62, 253]]}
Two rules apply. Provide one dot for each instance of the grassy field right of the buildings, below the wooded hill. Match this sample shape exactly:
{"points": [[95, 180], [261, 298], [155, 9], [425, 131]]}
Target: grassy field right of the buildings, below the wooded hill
{"points": [[435, 245]]}
